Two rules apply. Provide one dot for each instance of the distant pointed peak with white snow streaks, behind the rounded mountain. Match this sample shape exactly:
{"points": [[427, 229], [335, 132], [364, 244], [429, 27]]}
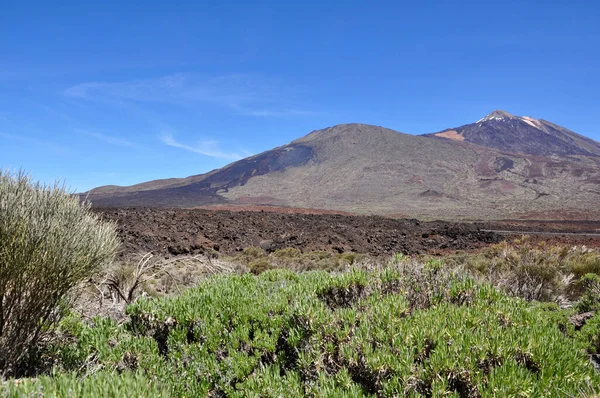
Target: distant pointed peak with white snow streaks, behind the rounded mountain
{"points": [[506, 132]]}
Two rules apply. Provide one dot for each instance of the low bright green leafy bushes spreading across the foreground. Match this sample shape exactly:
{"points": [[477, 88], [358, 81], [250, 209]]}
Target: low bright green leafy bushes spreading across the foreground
{"points": [[411, 329]]}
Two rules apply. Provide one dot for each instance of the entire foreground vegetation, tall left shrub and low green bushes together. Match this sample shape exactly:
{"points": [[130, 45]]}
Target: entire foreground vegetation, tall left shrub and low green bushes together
{"points": [[468, 325]]}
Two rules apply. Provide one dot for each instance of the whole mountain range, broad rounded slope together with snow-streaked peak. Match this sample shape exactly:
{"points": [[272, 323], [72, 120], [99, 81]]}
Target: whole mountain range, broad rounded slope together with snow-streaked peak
{"points": [[502, 166]]}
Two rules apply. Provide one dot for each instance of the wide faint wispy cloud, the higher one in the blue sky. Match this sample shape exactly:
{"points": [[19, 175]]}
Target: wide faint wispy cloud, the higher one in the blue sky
{"points": [[243, 94]]}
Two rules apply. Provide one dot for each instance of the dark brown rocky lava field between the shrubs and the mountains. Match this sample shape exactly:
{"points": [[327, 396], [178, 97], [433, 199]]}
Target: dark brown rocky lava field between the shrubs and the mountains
{"points": [[170, 232]]}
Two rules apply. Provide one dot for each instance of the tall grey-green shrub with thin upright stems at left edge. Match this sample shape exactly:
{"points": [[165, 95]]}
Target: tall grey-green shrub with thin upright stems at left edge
{"points": [[49, 242]]}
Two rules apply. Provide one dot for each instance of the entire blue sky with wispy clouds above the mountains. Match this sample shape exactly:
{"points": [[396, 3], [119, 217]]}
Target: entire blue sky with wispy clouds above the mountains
{"points": [[97, 94]]}
